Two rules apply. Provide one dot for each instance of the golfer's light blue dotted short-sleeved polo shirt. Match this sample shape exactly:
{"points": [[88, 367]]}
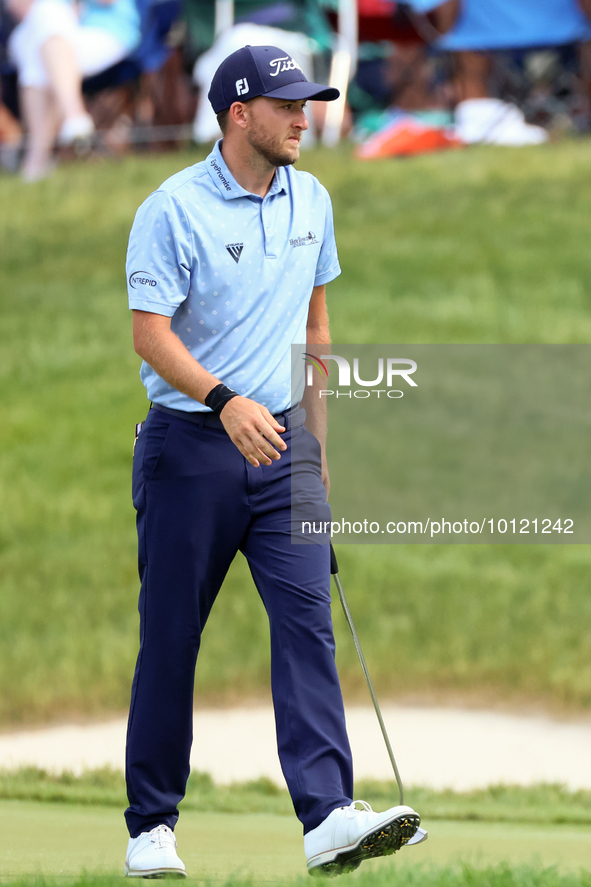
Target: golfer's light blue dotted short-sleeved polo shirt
{"points": [[235, 272]]}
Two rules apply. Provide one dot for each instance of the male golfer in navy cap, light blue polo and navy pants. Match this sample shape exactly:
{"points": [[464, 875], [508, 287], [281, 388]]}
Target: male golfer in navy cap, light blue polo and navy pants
{"points": [[227, 266]]}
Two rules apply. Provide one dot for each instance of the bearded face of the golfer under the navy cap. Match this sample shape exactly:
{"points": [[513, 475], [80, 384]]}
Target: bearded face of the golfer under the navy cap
{"points": [[275, 128]]}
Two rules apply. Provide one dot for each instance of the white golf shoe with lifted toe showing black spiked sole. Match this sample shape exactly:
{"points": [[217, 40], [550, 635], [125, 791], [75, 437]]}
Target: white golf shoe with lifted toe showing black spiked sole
{"points": [[349, 835]]}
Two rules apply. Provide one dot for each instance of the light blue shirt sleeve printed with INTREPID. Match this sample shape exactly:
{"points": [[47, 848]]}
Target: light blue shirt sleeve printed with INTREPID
{"points": [[159, 256]]}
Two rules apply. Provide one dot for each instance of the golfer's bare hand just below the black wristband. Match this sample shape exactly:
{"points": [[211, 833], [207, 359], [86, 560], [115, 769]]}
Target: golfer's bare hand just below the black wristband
{"points": [[252, 428]]}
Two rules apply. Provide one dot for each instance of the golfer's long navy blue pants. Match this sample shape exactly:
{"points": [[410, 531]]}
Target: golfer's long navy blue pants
{"points": [[198, 503]]}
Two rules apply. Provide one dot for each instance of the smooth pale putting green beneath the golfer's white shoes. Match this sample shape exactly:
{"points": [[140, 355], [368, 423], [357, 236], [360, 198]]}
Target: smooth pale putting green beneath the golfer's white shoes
{"points": [[59, 841]]}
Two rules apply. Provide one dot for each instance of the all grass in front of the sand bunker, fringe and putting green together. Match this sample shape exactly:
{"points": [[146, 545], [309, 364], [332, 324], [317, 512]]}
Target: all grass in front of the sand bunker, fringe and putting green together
{"points": [[54, 828]]}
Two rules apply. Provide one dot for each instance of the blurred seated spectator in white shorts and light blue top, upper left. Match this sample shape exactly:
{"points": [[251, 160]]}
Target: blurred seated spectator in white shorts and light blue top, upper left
{"points": [[53, 47]]}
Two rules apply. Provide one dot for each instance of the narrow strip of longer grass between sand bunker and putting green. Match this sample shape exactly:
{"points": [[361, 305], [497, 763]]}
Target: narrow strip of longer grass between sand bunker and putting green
{"points": [[538, 804]]}
